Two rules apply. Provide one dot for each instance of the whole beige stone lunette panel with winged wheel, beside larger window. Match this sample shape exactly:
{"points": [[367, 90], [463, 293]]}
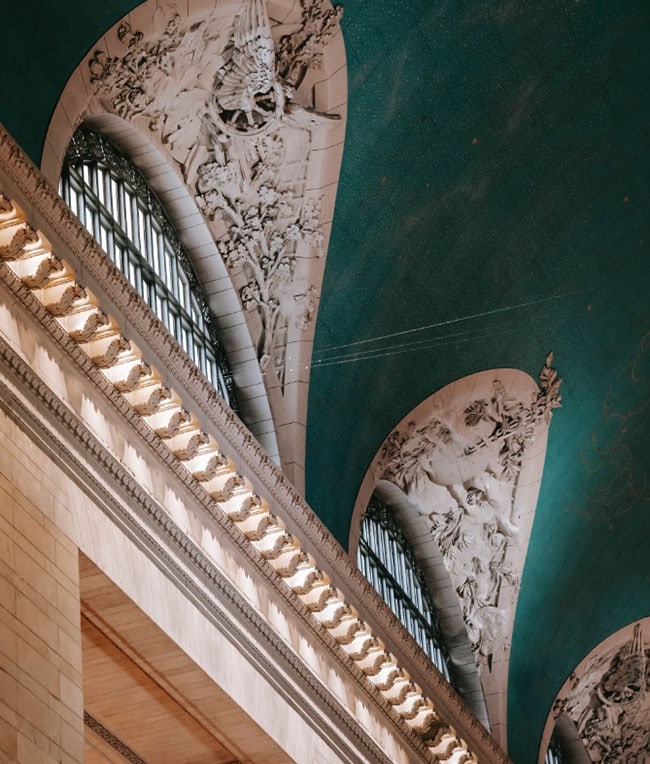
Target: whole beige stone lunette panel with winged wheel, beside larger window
{"points": [[260, 163]]}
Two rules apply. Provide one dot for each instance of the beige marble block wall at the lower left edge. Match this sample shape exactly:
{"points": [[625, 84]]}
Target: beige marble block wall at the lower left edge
{"points": [[41, 705]]}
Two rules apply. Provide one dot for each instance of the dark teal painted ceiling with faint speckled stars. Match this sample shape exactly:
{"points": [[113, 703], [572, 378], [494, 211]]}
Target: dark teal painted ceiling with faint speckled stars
{"points": [[494, 204]]}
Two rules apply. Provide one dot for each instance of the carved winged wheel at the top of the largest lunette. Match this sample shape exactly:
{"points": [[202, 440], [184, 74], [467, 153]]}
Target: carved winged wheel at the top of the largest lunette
{"points": [[249, 96]]}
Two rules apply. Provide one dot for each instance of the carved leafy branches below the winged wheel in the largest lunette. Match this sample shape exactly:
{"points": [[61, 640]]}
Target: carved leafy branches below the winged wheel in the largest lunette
{"points": [[267, 221]]}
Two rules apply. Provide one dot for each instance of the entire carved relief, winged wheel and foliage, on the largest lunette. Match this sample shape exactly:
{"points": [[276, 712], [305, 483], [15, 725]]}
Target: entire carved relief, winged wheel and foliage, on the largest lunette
{"points": [[227, 106]]}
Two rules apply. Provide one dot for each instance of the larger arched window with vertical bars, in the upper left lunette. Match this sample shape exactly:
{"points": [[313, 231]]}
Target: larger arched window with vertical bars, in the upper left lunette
{"points": [[114, 202]]}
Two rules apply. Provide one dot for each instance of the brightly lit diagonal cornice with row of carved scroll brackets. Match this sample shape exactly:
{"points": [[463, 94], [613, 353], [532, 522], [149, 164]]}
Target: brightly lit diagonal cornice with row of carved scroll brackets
{"points": [[209, 452]]}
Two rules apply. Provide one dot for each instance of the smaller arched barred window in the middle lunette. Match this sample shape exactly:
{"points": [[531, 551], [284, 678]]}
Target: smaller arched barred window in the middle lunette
{"points": [[386, 559]]}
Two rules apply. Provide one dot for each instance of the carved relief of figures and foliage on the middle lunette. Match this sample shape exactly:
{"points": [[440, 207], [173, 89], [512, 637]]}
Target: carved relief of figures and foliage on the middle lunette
{"points": [[462, 472]]}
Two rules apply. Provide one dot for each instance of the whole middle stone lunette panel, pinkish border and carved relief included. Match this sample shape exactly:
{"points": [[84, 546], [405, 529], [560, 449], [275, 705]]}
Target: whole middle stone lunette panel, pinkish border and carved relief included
{"points": [[470, 459]]}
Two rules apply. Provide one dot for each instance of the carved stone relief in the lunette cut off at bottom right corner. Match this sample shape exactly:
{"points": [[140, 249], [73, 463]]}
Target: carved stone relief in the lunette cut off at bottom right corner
{"points": [[608, 698]]}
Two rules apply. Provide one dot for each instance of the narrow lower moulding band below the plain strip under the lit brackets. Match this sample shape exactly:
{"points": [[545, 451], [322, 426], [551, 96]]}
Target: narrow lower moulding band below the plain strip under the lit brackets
{"points": [[119, 495]]}
